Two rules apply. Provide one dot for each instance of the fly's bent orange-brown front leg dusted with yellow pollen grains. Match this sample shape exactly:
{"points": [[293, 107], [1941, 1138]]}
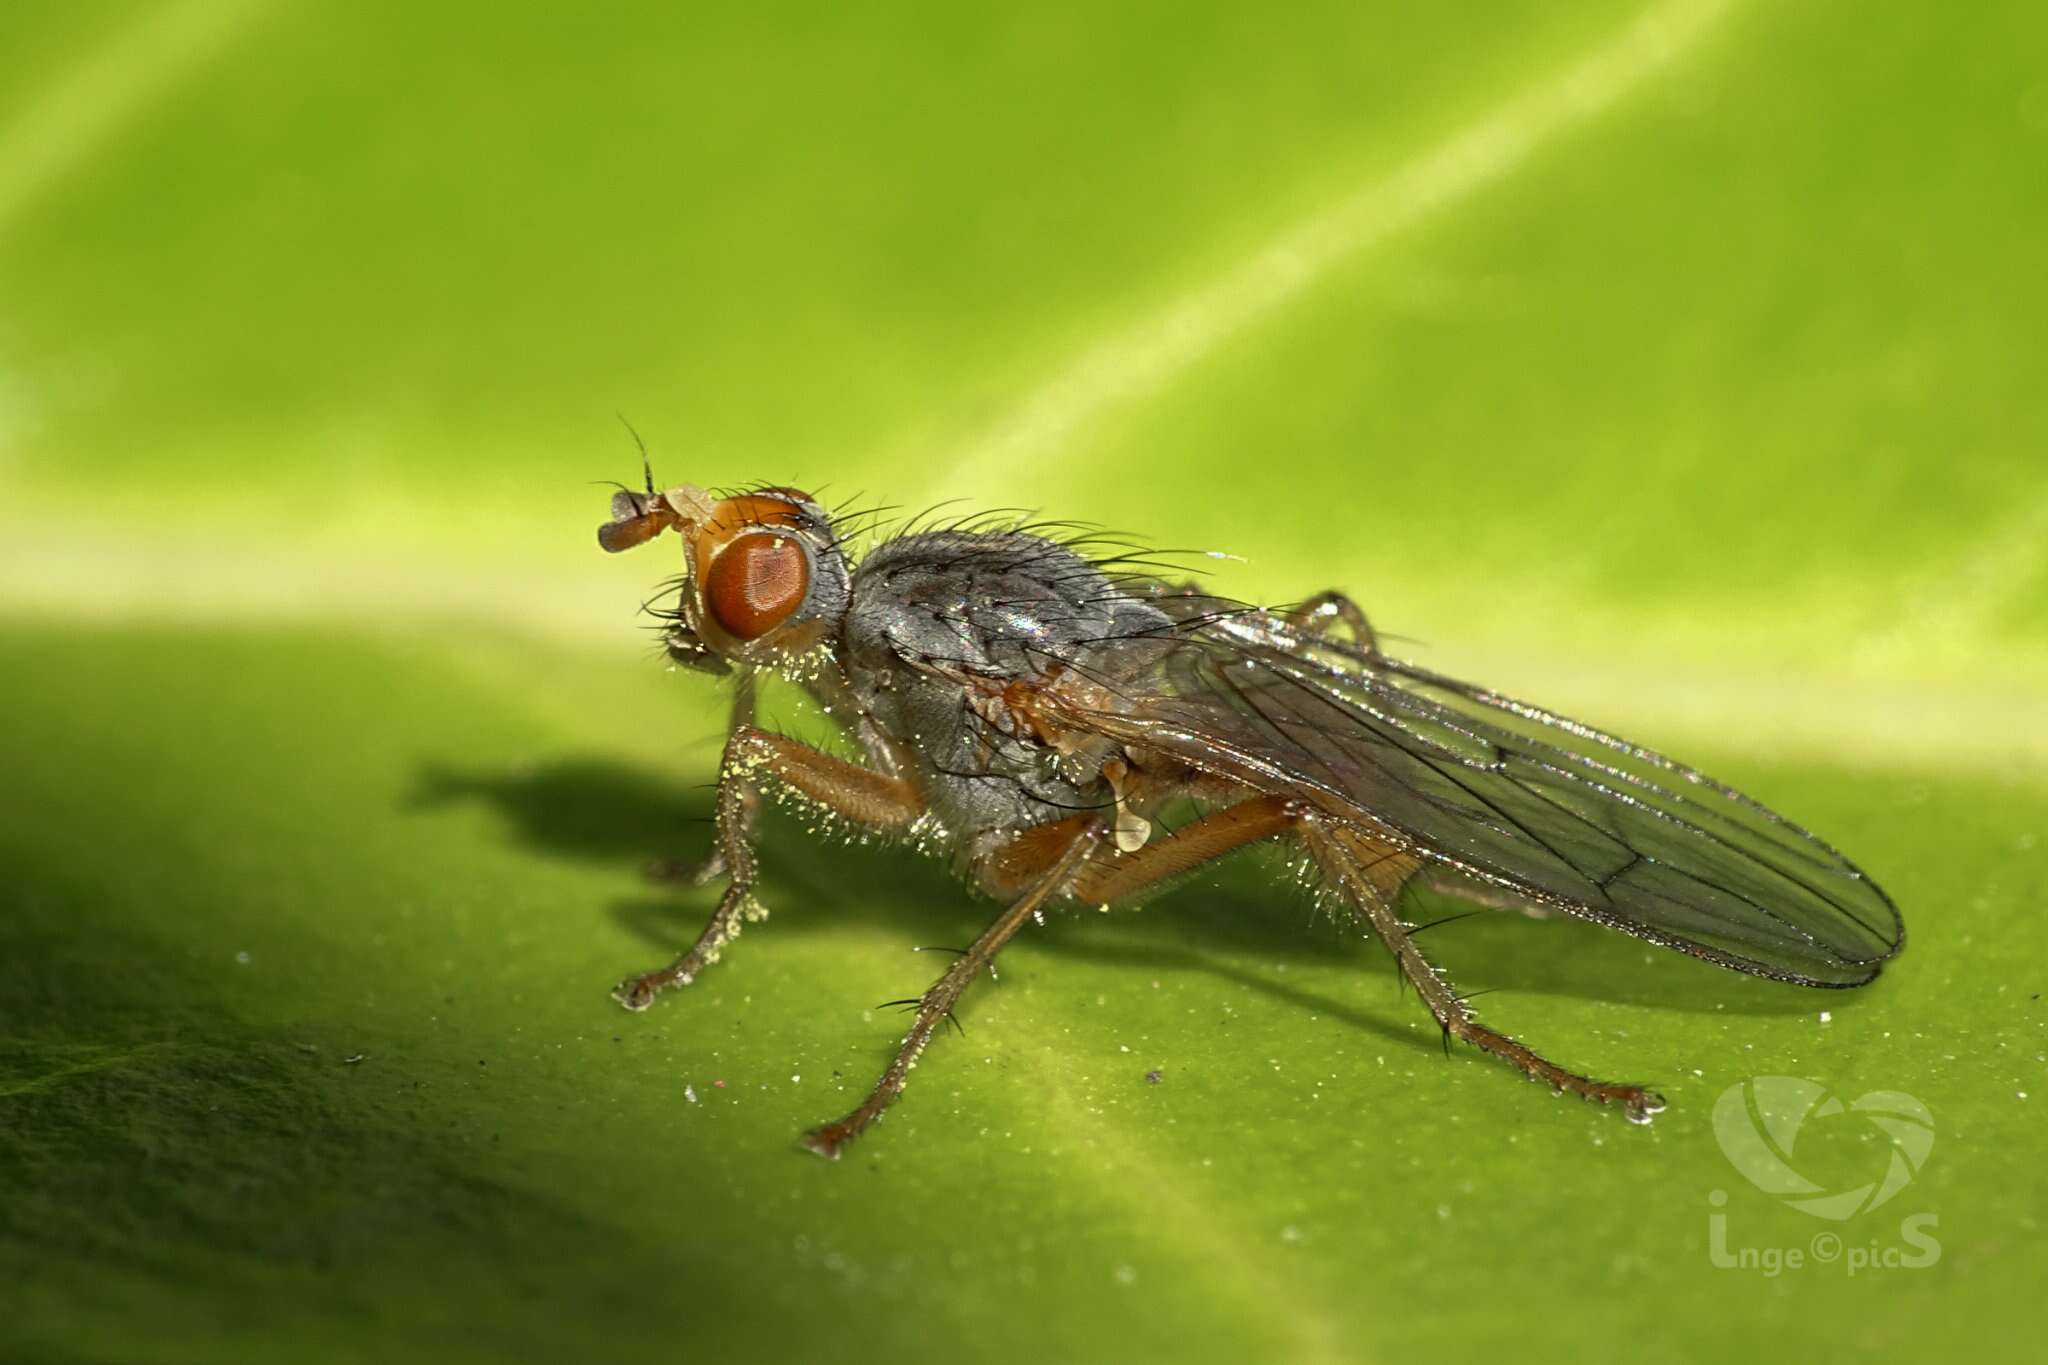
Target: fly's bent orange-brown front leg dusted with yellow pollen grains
{"points": [[851, 791]]}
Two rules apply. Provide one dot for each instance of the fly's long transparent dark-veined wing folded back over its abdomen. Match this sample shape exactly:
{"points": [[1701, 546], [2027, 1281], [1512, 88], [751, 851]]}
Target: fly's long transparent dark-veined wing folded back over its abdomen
{"points": [[1500, 791]]}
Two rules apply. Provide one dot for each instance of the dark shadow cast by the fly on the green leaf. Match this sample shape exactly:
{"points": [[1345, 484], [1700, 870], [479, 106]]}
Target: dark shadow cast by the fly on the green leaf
{"points": [[1244, 910]]}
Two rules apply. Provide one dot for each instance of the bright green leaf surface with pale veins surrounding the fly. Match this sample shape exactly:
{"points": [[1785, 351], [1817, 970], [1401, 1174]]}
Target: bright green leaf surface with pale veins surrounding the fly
{"points": [[1672, 365]]}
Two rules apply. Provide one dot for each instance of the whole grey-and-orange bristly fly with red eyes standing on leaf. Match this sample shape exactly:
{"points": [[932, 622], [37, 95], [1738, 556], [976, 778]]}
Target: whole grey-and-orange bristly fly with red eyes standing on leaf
{"points": [[1031, 711]]}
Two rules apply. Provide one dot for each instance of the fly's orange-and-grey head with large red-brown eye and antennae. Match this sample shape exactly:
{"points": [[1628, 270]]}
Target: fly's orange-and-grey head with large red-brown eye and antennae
{"points": [[763, 574]]}
